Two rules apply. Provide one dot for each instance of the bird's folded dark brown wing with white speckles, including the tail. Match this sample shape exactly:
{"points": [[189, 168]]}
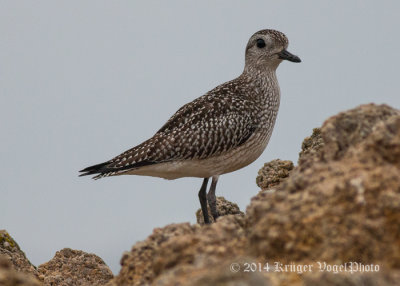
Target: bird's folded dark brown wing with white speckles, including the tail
{"points": [[208, 126]]}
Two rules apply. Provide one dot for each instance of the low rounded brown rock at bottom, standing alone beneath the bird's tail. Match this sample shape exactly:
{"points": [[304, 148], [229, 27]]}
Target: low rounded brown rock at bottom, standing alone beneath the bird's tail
{"points": [[74, 267]]}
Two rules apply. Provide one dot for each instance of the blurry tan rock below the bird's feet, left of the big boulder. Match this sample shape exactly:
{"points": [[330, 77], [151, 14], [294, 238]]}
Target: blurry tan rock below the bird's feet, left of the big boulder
{"points": [[175, 251]]}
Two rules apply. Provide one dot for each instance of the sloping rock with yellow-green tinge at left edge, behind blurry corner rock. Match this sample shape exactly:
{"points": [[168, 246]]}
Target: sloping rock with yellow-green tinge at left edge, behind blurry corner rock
{"points": [[10, 249]]}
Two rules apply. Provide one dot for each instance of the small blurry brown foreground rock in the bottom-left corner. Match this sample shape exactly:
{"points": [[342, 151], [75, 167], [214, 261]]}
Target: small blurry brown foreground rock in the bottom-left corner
{"points": [[9, 276]]}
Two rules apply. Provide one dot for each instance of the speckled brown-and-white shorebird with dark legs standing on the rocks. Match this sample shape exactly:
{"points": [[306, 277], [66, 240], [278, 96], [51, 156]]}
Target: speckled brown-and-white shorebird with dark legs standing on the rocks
{"points": [[222, 131]]}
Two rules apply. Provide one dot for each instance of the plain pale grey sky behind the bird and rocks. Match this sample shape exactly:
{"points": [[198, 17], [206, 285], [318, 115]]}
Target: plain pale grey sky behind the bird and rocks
{"points": [[82, 81]]}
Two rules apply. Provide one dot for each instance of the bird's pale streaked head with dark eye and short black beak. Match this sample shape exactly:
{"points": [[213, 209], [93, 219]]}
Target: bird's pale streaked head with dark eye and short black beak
{"points": [[266, 49]]}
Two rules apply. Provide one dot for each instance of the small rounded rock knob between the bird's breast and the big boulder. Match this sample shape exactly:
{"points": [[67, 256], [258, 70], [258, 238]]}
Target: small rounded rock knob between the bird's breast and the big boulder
{"points": [[273, 173]]}
